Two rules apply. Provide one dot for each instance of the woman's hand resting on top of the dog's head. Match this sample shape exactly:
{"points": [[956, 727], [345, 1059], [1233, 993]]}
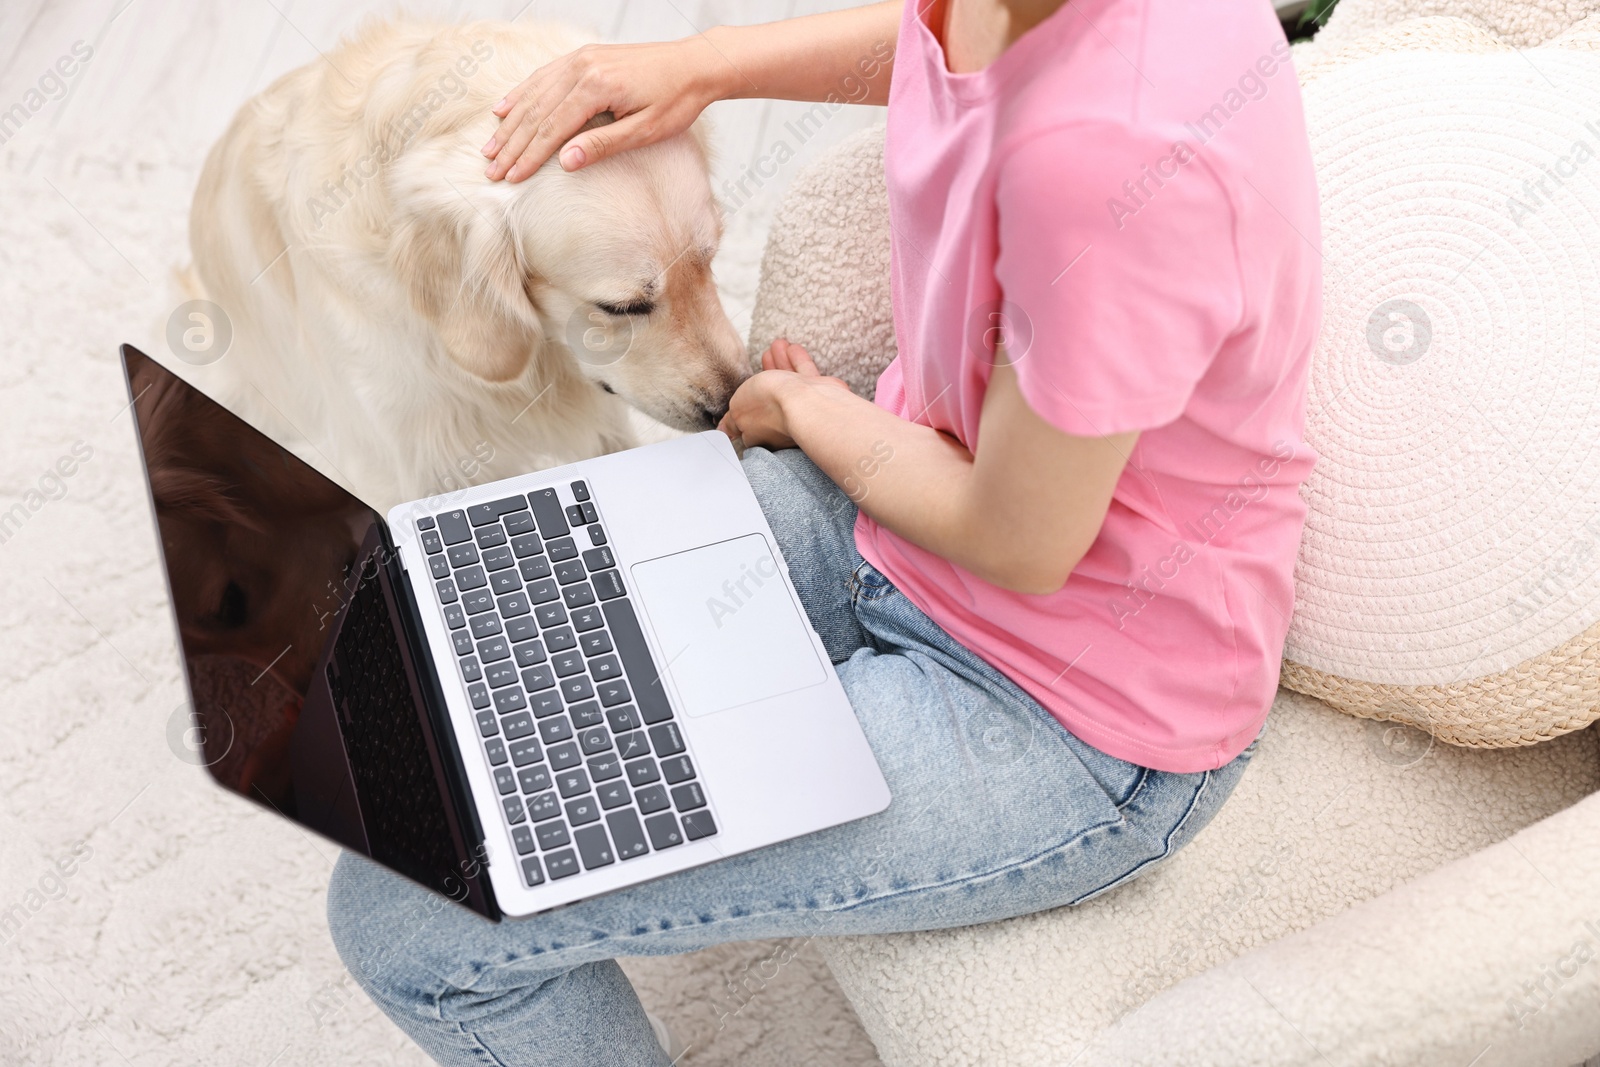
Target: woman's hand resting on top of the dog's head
{"points": [[655, 92]]}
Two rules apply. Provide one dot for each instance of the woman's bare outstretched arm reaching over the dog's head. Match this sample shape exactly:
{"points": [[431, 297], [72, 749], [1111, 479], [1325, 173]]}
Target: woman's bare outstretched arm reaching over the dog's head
{"points": [[660, 90]]}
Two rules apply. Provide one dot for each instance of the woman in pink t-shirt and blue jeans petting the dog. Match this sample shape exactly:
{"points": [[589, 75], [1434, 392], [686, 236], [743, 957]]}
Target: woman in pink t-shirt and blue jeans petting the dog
{"points": [[1062, 604]]}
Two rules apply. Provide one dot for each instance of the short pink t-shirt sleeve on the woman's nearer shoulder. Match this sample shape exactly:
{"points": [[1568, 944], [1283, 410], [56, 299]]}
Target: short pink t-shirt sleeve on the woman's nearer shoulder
{"points": [[1119, 276]]}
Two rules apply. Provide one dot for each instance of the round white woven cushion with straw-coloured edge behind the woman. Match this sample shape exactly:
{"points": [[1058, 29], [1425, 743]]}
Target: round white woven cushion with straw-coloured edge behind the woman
{"points": [[1450, 570]]}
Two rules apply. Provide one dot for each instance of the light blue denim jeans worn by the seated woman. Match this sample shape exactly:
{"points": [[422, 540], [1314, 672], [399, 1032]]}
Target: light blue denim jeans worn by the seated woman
{"points": [[996, 812]]}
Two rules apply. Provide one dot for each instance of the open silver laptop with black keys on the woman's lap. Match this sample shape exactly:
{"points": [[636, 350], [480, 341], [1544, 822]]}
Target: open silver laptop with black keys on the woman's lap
{"points": [[518, 695]]}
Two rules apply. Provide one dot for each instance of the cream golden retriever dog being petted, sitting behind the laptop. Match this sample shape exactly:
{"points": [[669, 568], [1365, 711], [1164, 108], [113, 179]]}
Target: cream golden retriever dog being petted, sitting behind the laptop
{"points": [[401, 319]]}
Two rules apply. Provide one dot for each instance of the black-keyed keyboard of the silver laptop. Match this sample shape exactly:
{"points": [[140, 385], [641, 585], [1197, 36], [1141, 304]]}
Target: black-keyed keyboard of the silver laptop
{"points": [[580, 738]]}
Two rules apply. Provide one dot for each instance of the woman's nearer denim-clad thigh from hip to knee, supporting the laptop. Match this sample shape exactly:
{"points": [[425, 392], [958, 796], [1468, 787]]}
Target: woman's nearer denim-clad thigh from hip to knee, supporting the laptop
{"points": [[972, 834]]}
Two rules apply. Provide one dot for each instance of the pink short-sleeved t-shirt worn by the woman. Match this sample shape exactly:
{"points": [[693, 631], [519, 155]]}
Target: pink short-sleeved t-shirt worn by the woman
{"points": [[1127, 199]]}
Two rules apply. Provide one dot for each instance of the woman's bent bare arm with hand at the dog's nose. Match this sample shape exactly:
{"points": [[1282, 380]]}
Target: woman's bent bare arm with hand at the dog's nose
{"points": [[1020, 513]]}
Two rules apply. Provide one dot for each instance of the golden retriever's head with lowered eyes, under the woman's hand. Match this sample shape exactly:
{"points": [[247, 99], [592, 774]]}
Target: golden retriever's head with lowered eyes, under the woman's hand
{"points": [[607, 270]]}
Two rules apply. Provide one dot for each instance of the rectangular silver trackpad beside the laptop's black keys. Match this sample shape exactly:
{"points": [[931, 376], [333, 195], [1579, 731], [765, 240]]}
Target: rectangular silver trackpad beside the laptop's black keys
{"points": [[727, 625]]}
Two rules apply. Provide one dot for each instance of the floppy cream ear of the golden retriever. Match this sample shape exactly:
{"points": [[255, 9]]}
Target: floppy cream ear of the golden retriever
{"points": [[466, 279]]}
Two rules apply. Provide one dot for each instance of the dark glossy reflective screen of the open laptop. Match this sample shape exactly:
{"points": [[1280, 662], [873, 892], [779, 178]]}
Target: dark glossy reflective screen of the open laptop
{"points": [[305, 695]]}
